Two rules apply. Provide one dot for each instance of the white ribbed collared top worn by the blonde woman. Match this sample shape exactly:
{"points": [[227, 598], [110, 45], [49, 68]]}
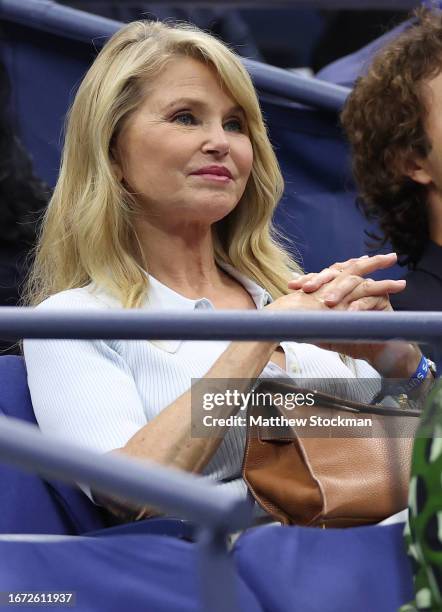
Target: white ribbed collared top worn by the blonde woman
{"points": [[99, 393]]}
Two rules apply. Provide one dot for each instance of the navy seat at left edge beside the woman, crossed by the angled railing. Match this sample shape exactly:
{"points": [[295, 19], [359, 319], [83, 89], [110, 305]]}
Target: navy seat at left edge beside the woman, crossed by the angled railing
{"points": [[29, 503]]}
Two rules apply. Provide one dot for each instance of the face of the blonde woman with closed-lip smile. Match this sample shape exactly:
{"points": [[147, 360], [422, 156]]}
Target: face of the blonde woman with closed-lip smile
{"points": [[187, 123]]}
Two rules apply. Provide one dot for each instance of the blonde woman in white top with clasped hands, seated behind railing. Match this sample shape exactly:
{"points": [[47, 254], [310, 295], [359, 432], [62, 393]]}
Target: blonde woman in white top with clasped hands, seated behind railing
{"points": [[164, 202]]}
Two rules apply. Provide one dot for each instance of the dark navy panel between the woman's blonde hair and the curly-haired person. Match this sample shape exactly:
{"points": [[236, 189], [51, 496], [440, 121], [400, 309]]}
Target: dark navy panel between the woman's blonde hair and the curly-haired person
{"points": [[317, 213]]}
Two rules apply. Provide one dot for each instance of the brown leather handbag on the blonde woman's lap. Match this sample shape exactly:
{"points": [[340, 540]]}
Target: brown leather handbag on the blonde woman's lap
{"points": [[329, 476]]}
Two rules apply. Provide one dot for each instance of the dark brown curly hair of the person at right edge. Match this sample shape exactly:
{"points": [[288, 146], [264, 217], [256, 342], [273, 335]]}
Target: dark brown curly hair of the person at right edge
{"points": [[384, 120]]}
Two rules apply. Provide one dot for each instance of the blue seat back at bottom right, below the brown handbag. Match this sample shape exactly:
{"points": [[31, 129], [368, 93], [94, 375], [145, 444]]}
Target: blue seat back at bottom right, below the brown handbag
{"points": [[362, 569]]}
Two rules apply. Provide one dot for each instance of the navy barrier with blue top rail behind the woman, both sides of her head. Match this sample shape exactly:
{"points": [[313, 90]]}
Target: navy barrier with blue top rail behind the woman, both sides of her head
{"points": [[43, 41]]}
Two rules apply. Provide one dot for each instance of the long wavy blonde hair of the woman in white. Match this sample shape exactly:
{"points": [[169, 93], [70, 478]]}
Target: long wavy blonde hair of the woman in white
{"points": [[88, 230]]}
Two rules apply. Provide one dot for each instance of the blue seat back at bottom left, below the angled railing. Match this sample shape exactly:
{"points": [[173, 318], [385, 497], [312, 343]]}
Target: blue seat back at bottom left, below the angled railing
{"points": [[137, 573]]}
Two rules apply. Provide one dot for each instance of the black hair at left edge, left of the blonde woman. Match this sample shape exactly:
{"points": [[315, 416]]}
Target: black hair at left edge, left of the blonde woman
{"points": [[22, 195]]}
